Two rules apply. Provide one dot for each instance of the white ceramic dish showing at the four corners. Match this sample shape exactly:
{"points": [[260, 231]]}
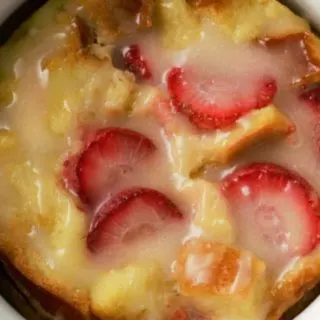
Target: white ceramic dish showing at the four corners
{"points": [[308, 8]]}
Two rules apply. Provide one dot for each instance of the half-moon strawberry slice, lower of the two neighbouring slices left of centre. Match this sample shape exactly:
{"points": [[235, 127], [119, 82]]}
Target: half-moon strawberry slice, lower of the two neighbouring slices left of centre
{"points": [[132, 214]]}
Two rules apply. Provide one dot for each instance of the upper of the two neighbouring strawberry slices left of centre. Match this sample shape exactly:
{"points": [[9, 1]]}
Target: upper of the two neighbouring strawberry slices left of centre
{"points": [[111, 156]]}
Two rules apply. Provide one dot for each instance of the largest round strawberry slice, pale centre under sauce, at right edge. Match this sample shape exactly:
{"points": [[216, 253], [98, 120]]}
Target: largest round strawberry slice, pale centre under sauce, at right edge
{"points": [[276, 212]]}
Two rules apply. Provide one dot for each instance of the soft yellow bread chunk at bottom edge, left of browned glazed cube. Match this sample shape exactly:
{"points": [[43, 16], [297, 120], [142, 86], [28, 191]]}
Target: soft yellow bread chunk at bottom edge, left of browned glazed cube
{"points": [[138, 291]]}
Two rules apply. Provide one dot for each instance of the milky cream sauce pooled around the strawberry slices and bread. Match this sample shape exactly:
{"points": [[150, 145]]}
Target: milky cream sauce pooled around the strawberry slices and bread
{"points": [[214, 55]]}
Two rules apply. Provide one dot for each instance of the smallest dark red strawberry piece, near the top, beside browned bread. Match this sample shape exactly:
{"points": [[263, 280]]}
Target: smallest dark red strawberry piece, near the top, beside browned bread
{"points": [[136, 63]]}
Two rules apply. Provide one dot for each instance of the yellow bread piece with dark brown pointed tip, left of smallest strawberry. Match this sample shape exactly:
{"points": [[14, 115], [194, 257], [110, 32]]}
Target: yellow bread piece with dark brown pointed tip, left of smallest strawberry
{"points": [[81, 84]]}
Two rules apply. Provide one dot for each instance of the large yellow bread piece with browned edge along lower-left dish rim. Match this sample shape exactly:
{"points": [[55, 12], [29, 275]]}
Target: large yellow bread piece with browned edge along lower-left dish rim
{"points": [[46, 235]]}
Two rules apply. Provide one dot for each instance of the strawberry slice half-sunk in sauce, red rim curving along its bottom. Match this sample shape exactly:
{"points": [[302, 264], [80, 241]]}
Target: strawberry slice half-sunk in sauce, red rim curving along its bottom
{"points": [[213, 103]]}
